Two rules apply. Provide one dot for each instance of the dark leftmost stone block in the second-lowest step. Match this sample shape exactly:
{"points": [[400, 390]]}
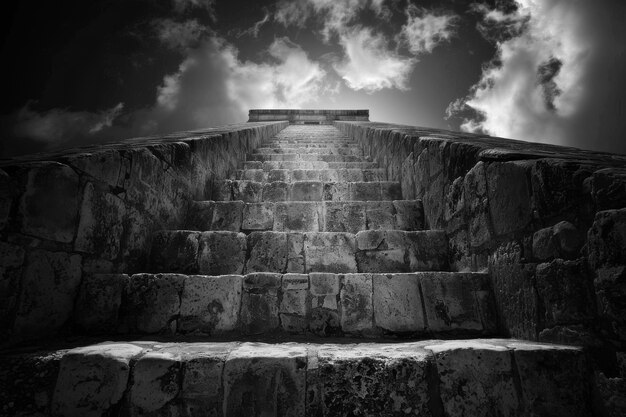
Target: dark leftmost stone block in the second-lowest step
{"points": [[99, 300]]}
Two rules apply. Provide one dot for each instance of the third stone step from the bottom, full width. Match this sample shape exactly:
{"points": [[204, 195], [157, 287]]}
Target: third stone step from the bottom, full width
{"points": [[221, 253]]}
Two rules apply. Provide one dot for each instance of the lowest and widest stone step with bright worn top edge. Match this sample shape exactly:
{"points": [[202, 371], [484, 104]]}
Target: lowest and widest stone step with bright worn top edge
{"points": [[481, 377]]}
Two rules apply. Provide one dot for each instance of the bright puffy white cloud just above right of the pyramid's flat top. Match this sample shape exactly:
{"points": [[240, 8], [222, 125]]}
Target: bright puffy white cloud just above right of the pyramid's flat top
{"points": [[369, 65]]}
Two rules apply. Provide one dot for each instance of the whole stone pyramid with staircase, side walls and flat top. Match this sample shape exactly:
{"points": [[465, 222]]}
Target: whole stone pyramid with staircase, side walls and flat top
{"points": [[313, 263]]}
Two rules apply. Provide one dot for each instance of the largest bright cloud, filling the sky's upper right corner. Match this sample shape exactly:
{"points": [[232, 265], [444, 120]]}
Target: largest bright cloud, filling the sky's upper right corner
{"points": [[559, 80]]}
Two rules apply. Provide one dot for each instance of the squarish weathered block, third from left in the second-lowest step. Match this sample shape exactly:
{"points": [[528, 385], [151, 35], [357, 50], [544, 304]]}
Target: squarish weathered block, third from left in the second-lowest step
{"points": [[210, 304]]}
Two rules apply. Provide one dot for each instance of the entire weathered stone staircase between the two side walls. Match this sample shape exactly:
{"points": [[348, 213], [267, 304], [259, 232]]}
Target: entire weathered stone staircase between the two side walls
{"points": [[308, 286]]}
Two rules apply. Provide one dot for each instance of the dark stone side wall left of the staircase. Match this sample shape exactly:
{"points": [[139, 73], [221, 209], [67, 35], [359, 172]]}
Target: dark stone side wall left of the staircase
{"points": [[65, 216]]}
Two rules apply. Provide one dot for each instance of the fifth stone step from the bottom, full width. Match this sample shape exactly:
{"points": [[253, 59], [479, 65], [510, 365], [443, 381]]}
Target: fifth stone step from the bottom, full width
{"points": [[257, 192]]}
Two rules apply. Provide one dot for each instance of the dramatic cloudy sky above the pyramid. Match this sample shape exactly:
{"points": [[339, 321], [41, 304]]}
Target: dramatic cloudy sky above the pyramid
{"points": [[81, 72]]}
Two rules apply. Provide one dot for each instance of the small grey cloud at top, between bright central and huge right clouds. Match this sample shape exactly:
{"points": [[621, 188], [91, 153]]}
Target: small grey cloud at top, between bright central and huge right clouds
{"points": [[424, 31]]}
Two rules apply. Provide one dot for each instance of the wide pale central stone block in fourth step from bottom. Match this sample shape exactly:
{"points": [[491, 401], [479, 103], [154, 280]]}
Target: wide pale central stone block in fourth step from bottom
{"points": [[297, 217]]}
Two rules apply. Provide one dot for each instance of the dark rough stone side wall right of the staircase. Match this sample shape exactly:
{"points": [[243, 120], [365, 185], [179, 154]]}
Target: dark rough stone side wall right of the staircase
{"points": [[547, 222]]}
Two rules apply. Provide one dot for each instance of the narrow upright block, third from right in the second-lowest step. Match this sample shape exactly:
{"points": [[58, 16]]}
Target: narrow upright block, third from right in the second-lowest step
{"points": [[357, 311]]}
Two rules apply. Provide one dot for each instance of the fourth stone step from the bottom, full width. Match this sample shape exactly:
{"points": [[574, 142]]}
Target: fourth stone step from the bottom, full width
{"points": [[299, 216]]}
